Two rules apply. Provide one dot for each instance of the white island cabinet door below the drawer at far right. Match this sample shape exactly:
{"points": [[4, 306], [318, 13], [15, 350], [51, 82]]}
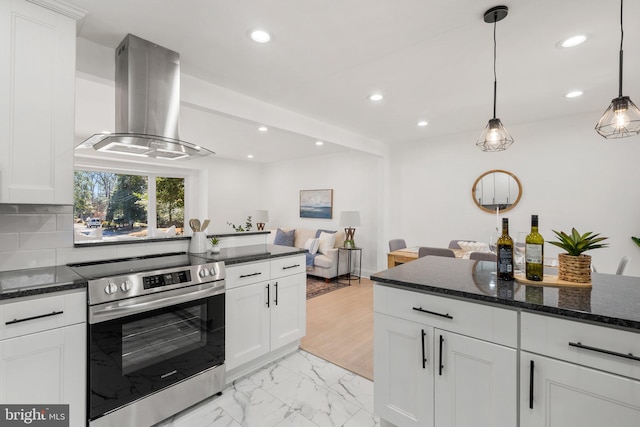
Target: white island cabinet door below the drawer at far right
{"points": [[557, 393]]}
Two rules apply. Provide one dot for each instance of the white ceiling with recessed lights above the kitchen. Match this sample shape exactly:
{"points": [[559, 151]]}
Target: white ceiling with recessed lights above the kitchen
{"points": [[431, 59]]}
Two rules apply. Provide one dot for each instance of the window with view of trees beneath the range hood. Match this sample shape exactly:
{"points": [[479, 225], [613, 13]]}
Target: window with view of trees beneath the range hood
{"points": [[120, 206]]}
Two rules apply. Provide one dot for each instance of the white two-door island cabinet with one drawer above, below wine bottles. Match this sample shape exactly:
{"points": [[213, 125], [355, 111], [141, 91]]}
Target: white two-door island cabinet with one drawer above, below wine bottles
{"points": [[443, 362]]}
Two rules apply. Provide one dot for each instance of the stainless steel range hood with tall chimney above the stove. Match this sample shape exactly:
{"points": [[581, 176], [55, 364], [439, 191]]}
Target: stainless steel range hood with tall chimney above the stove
{"points": [[147, 105]]}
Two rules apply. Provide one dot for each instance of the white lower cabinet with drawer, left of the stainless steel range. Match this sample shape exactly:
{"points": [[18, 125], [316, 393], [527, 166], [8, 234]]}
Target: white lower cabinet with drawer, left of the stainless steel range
{"points": [[43, 352]]}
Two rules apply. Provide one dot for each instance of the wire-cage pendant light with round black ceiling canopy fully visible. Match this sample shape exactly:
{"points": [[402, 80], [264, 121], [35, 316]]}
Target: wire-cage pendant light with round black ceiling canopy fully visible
{"points": [[495, 136]]}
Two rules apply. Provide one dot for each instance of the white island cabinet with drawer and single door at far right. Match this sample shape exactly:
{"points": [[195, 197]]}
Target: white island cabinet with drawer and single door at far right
{"points": [[578, 374]]}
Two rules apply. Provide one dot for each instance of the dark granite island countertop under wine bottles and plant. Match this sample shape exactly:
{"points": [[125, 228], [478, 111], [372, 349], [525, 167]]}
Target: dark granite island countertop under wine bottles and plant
{"points": [[612, 300]]}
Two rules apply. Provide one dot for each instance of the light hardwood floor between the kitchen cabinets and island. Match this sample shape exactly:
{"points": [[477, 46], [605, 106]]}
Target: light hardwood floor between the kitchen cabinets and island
{"points": [[340, 327]]}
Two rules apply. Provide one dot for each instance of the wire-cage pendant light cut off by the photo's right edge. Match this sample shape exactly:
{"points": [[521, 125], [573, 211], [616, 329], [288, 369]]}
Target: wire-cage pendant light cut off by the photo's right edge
{"points": [[622, 118]]}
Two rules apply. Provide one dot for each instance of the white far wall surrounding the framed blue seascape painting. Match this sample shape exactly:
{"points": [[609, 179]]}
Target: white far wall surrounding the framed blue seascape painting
{"points": [[356, 182]]}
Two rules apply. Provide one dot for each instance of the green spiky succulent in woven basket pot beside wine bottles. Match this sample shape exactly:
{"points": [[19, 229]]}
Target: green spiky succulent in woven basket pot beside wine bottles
{"points": [[575, 266]]}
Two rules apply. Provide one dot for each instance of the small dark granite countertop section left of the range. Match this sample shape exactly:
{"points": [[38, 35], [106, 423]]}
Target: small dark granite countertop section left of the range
{"points": [[42, 280]]}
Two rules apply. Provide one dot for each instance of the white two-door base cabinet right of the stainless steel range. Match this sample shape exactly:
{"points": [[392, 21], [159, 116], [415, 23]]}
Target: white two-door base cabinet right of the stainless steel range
{"points": [[265, 311]]}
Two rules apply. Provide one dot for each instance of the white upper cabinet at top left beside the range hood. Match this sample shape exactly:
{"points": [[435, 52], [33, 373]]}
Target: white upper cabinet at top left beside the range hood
{"points": [[37, 81]]}
